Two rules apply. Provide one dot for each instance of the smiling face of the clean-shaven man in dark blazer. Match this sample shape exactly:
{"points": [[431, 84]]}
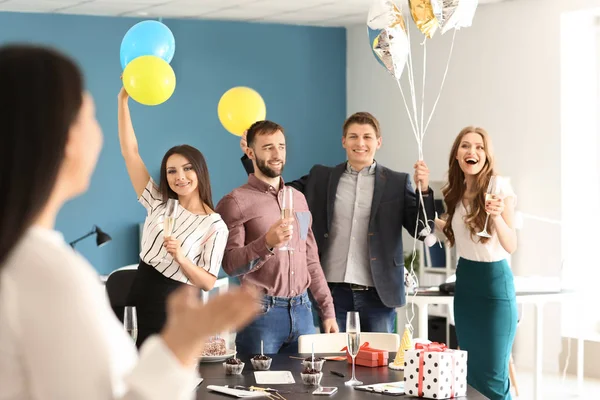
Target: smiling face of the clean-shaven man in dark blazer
{"points": [[361, 143]]}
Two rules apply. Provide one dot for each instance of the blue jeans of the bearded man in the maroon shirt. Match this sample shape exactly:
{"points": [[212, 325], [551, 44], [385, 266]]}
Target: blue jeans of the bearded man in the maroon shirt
{"points": [[282, 320]]}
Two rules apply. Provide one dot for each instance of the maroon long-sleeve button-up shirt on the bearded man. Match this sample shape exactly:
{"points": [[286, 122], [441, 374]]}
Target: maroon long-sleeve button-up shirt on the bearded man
{"points": [[249, 211]]}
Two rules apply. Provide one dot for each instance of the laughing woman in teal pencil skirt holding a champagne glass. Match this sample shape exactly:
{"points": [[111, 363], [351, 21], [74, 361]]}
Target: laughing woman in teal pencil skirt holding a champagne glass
{"points": [[479, 222]]}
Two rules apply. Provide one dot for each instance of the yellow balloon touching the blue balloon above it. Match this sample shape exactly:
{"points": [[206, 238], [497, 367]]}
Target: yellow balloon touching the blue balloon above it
{"points": [[149, 80]]}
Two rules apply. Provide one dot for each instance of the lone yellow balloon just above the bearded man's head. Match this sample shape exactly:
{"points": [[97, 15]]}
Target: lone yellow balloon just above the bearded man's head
{"points": [[240, 107]]}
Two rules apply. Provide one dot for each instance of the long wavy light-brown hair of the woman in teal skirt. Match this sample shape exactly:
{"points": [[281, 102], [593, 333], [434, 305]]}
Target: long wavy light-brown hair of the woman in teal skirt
{"points": [[456, 187]]}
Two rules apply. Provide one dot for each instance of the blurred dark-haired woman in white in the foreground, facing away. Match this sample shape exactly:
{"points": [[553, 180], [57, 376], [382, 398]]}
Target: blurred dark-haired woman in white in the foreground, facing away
{"points": [[59, 338]]}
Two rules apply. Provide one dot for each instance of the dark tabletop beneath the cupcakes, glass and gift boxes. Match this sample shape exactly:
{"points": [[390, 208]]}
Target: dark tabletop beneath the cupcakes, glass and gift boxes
{"points": [[214, 374]]}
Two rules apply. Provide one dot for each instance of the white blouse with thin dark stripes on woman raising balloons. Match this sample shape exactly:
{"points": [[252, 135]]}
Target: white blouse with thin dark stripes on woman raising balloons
{"points": [[203, 237]]}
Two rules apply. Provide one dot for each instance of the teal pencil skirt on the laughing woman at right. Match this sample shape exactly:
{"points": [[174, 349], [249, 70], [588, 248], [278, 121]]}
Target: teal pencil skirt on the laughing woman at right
{"points": [[485, 313]]}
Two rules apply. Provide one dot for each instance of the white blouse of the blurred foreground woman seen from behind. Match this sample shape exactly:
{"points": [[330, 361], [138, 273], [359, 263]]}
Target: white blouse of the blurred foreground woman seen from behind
{"points": [[59, 338]]}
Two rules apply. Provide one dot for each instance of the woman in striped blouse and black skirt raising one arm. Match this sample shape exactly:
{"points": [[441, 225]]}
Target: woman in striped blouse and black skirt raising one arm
{"points": [[192, 252]]}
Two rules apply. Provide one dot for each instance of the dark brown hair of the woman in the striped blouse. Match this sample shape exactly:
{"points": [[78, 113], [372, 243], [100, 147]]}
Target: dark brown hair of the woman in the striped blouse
{"points": [[195, 157]]}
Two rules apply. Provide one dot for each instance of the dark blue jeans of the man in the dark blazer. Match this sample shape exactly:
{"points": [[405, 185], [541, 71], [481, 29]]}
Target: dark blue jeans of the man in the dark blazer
{"points": [[374, 315]]}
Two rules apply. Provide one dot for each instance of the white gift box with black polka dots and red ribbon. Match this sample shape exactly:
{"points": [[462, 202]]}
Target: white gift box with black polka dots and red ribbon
{"points": [[433, 371]]}
